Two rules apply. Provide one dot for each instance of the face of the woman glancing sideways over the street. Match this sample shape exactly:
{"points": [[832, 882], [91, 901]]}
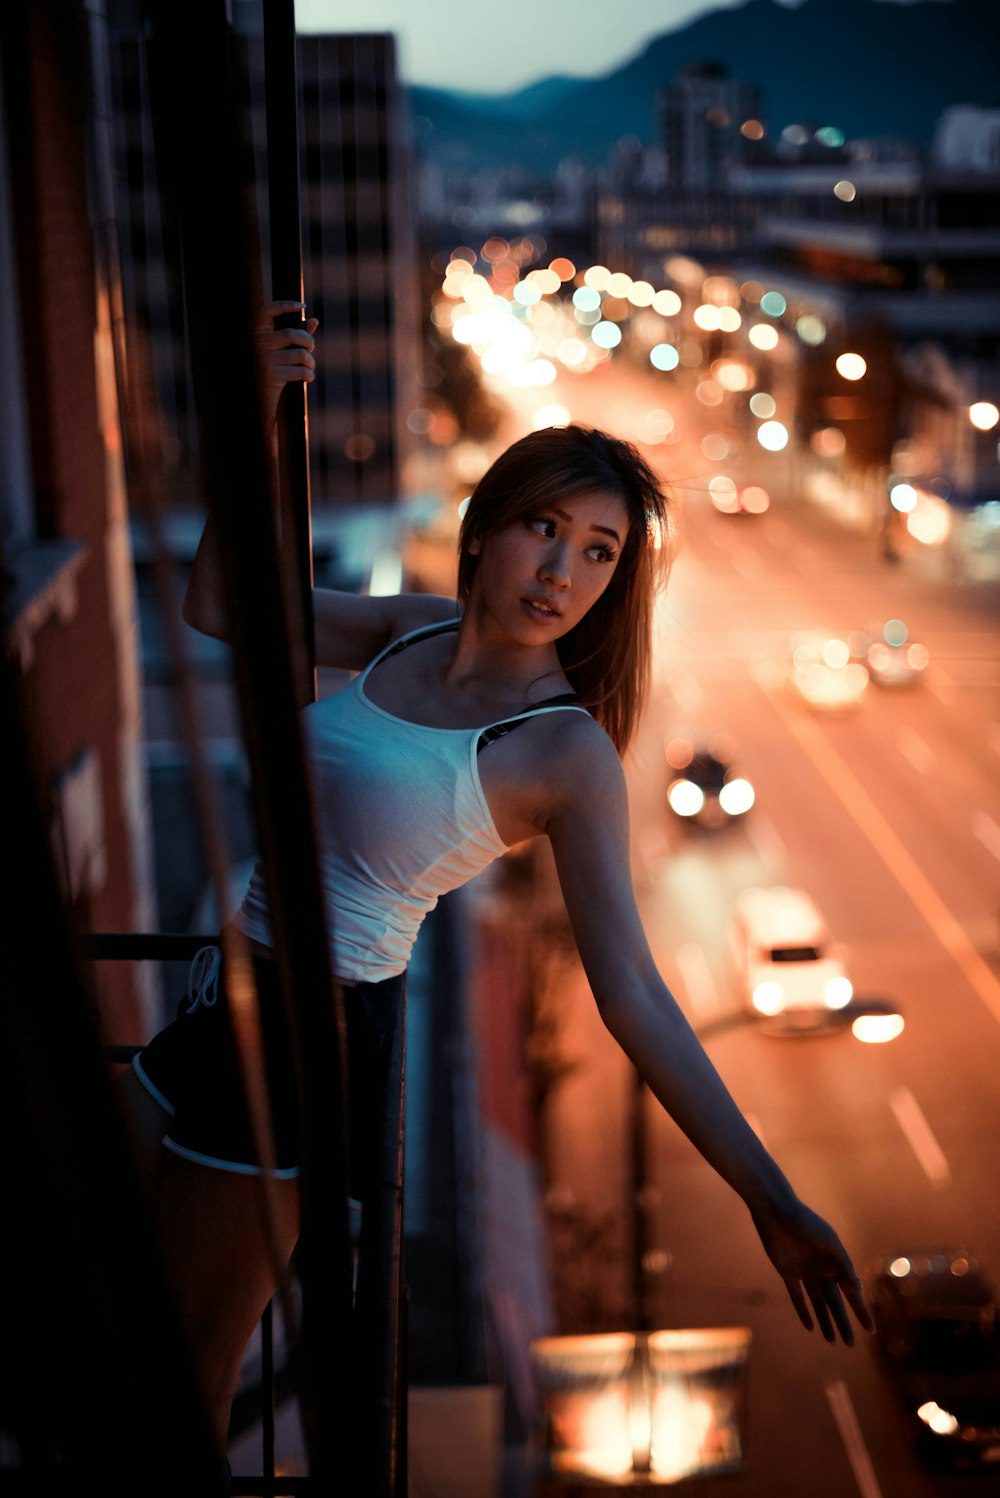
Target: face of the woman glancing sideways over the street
{"points": [[543, 573]]}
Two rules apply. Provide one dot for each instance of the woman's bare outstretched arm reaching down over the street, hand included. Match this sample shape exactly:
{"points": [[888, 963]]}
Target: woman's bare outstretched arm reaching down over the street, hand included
{"points": [[589, 831]]}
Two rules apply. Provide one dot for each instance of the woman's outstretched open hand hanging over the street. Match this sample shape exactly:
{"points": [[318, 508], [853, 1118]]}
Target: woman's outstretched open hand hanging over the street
{"points": [[817, 1270]]}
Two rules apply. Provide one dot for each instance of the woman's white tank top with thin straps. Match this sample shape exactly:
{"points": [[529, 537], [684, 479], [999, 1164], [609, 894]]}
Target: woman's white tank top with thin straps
{"points": [[402, 822]]}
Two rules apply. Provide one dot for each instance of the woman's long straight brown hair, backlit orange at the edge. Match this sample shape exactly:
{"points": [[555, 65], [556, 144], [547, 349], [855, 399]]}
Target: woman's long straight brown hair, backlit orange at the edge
{"points": [[607, 655]]}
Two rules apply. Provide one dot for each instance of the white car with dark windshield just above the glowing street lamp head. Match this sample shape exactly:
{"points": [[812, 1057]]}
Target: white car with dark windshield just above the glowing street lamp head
{"points": [[793, 973]]}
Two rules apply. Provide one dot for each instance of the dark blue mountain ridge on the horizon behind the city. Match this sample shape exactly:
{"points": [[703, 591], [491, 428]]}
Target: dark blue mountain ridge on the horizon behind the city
{"points": [[871, 68]]}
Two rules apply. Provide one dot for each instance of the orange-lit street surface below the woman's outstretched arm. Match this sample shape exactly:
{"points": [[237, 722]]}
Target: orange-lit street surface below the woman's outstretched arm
{"points": [[890, 819]]}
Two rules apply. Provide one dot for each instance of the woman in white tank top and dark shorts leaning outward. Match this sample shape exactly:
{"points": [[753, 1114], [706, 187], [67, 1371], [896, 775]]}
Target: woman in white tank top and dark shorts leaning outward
{"points": [[421, 783]]}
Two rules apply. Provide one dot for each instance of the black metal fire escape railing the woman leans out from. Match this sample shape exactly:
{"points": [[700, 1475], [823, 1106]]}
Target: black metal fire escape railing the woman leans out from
{"points": [[348, 1350]]}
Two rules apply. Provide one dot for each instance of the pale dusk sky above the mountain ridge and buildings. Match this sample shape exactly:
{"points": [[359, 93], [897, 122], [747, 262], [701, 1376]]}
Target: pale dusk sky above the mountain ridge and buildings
{"points": [[501, 49]]}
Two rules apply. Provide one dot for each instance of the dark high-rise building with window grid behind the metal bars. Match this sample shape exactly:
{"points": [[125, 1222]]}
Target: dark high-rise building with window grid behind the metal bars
{"points": [[359, 249]]}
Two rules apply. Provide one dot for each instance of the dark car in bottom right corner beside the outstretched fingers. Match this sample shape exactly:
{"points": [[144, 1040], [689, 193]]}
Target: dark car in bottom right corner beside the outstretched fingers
{"points": [[938, 1331]]}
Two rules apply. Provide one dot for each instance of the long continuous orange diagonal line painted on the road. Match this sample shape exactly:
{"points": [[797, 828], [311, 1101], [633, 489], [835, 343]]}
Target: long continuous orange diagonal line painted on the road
{"points": [[900, 864]]}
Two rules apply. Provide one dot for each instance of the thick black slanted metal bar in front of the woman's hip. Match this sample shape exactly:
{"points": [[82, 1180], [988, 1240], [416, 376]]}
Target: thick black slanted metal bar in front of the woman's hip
{"points": [[236, 465]]}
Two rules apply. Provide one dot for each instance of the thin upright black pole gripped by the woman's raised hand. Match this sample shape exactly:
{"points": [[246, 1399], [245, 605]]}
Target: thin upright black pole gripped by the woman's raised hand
{"points": [[288, 282]]}
